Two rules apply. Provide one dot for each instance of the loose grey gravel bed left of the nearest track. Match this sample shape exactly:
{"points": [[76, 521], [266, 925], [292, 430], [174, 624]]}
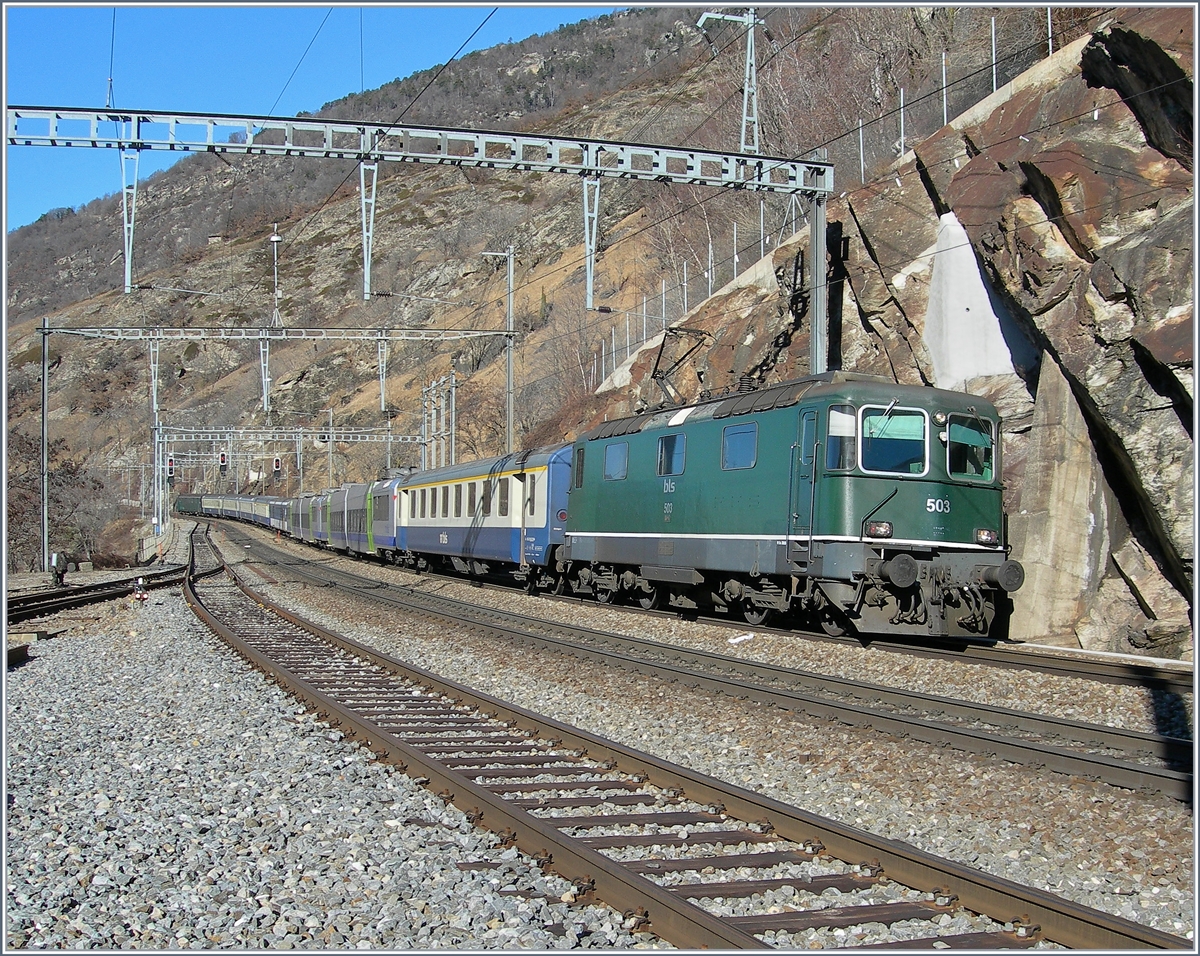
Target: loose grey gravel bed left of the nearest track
{"points": [[163, 796]]}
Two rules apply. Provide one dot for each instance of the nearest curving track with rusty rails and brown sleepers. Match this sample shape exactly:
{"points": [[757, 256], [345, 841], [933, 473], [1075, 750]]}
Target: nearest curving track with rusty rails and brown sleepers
{"points": [[653, 840]]}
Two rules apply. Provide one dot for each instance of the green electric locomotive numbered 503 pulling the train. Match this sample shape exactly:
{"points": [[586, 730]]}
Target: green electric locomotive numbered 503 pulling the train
{"points": [[848, 498]]}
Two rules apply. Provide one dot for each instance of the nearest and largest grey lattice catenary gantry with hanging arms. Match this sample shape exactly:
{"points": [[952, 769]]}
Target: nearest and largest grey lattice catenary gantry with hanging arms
{"points": [[371, 143]]}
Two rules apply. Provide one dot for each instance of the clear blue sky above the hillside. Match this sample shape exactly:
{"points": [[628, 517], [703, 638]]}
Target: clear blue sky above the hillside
{"points": [[212, 58]]}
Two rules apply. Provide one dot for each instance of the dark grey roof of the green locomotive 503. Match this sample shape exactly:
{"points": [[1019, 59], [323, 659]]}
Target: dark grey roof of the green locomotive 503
{"points": [[784, 395]]}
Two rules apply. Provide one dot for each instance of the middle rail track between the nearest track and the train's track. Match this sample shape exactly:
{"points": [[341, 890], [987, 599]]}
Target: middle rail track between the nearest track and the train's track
{"points": [[1120, 757]]}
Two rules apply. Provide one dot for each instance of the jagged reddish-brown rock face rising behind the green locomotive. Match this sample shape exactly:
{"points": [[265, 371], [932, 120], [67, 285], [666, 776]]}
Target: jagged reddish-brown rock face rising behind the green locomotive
{"points": [[1037, 251]]}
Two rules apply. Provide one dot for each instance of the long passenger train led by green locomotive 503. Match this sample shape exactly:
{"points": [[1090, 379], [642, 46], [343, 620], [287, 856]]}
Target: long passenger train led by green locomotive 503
{"points": [[842, 501]]}
